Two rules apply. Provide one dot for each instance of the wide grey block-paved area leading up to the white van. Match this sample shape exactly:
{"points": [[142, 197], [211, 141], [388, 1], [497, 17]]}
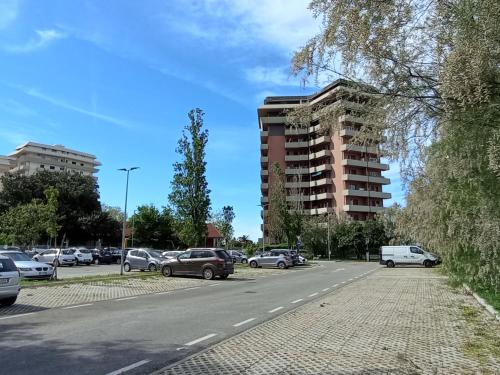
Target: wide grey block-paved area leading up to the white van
{"points": [[395, 321]]}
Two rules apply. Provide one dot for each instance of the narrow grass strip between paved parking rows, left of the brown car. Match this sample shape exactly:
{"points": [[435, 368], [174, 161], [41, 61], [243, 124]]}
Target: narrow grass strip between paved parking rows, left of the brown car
{"points": [[109, 279]]}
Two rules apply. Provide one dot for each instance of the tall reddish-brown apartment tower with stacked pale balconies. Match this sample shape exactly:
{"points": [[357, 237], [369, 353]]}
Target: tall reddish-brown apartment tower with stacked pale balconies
{"points": [[327, 172]]}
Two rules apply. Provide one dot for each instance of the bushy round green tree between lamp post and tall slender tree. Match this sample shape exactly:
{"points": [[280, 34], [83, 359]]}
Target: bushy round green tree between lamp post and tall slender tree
{"points": [[153, 228]]}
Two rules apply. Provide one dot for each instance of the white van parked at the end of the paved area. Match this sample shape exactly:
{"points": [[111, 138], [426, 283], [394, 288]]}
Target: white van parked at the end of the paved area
{"points": [[406, 254]]}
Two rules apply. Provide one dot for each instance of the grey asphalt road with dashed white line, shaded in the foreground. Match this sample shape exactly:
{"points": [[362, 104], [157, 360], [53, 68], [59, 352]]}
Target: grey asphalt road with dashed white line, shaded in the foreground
{"points": [[141, 334]]}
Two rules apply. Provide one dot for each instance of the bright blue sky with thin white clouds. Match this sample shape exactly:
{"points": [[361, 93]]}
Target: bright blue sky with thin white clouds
{"points": [[116, 79]]}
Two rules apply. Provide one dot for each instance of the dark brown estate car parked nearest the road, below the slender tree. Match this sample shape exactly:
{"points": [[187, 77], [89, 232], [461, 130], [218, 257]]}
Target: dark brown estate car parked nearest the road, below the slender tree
{"points": [[206, 262]]}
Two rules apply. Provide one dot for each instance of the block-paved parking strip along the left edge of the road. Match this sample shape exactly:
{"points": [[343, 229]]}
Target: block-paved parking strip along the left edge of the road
{"points": [[41, 298]]}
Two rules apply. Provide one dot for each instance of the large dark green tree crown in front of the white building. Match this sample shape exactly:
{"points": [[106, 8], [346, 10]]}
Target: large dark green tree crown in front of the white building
{"points": [[78, 197]]}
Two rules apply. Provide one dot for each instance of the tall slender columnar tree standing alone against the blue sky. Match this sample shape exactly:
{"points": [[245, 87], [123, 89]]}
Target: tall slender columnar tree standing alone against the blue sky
{"points": [[190, 194]]}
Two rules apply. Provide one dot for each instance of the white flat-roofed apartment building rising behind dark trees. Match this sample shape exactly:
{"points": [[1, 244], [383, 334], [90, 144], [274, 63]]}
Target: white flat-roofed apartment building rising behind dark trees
{"points": [[32, 157]]}
